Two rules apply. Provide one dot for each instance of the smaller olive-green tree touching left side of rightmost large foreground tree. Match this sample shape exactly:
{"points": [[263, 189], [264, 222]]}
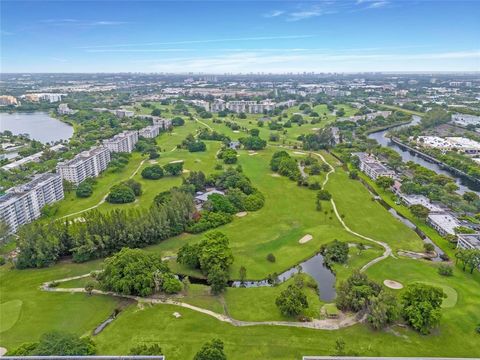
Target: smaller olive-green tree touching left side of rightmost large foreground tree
{"points": [[383, 310]]}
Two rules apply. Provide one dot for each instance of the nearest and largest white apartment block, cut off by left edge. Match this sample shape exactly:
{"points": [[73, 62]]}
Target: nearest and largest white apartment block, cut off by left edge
{"points": [[23, 204]]}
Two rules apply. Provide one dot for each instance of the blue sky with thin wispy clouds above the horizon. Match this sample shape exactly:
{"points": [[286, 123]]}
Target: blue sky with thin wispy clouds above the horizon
{"points": [[240, 36]]}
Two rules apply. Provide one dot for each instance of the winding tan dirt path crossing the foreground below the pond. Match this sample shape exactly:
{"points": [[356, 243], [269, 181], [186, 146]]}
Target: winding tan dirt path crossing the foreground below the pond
{"points": [[325, 324]]}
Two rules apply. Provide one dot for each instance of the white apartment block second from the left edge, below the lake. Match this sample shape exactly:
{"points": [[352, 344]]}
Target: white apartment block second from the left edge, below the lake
{"points": [[87, 164]]}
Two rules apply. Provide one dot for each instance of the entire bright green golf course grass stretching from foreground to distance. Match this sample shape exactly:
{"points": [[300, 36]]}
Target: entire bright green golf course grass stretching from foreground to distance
{"points": [[26, 312]]}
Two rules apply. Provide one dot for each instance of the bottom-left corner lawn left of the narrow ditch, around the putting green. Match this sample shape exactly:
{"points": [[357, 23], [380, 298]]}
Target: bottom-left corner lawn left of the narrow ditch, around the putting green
{"points": [[43, 311]]}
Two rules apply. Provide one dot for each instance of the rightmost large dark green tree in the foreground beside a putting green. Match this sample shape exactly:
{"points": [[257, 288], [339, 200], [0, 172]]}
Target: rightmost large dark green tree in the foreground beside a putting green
{"points": [[421, 306]]}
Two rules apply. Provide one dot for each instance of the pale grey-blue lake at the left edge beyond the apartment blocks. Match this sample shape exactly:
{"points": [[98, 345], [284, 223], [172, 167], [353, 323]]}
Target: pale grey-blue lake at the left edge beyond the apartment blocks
{"points": [[39, 125]]}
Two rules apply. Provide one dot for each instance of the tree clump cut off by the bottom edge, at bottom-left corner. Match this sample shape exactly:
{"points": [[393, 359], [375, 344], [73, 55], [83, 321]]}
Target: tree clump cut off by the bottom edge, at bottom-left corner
{"points": [[58, 344]]}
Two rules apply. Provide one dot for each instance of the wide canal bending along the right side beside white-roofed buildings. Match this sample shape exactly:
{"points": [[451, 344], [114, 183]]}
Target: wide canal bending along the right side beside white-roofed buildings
{"points": [[463, 183]]}
